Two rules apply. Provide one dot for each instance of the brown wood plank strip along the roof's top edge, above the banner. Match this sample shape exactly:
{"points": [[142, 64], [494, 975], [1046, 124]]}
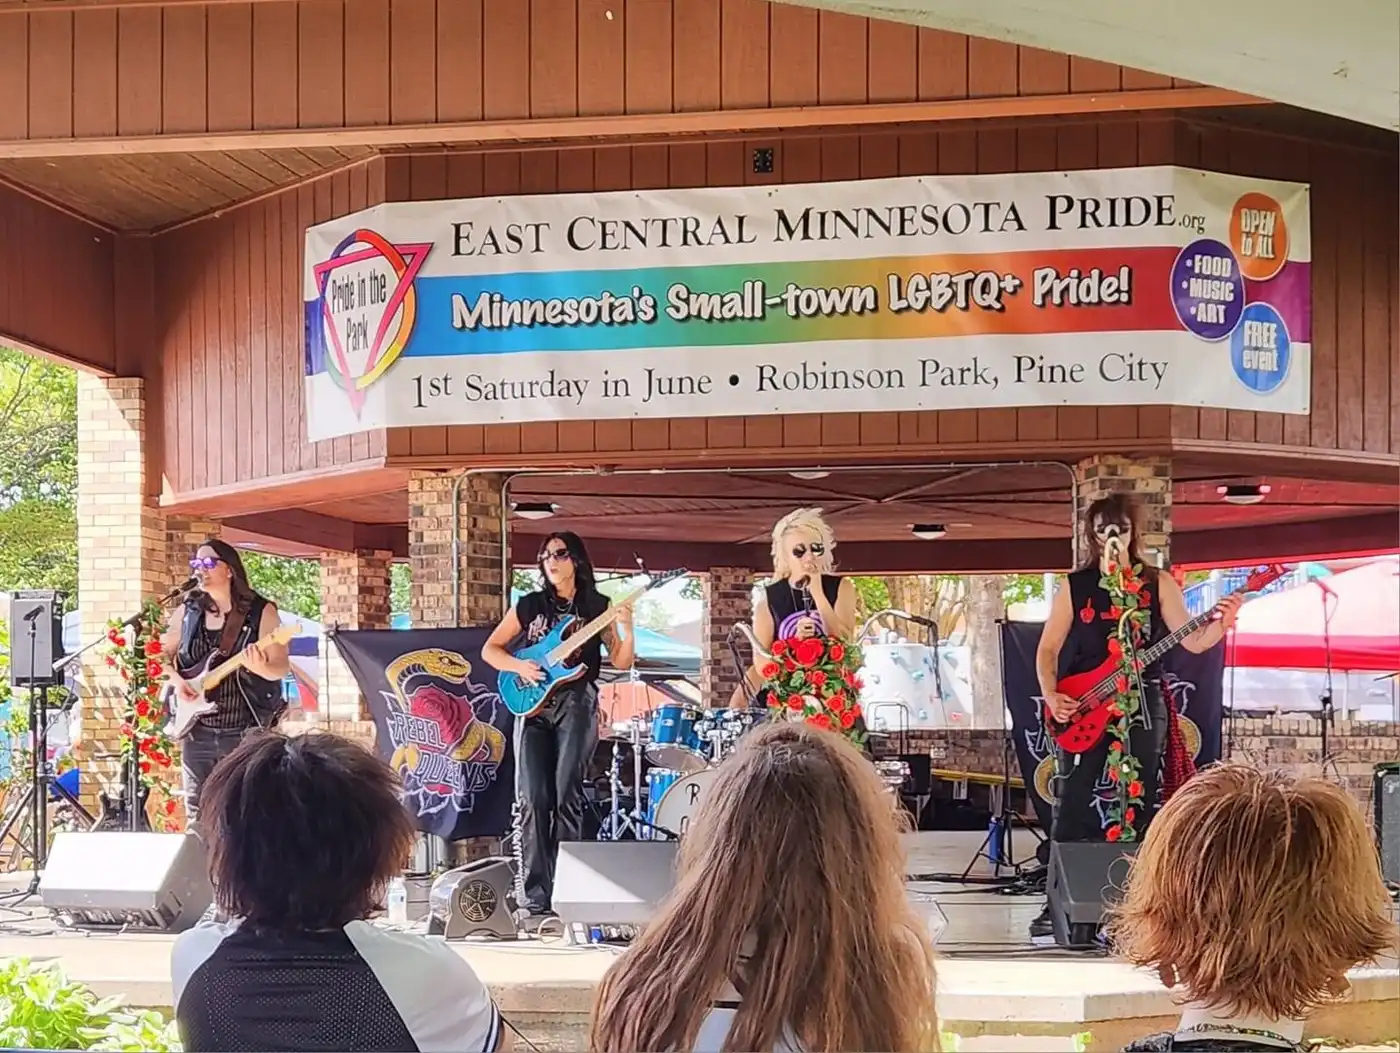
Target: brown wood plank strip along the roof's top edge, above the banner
{"points": [[330, 64]]}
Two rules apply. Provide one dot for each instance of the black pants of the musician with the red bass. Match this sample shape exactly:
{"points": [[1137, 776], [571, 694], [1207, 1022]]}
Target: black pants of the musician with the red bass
{"points": [[1079, 786]]}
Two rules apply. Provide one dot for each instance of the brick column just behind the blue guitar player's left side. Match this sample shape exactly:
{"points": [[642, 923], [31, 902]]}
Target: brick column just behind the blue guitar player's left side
{"points": [[481, 550]]}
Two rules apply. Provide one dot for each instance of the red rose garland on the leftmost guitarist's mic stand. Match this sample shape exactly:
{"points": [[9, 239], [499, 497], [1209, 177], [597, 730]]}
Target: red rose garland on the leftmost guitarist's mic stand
{"points": [[135, 652]]}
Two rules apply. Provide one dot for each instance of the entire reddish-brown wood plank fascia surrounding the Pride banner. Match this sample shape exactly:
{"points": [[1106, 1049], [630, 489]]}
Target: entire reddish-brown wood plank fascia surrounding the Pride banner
{"points": [[230, 292]]}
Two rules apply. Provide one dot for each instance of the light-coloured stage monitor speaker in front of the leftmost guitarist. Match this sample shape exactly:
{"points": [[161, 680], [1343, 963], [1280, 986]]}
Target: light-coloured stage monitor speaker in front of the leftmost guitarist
{"points": [[135, 880]]}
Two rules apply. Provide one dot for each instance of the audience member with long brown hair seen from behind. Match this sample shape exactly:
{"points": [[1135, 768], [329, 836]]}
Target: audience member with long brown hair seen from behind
{"points": [[789, 928]]}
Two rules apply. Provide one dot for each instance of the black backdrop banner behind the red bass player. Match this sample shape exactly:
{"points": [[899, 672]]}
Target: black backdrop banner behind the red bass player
{"points": [[1193, 681]]}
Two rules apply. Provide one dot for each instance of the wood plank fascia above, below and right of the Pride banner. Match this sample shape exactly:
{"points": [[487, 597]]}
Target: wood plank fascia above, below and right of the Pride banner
{"points": [[1356, 310]]}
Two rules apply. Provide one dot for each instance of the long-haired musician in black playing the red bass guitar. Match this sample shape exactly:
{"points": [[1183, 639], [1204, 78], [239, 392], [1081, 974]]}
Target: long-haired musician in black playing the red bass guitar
{"points": [[1077, 639]]}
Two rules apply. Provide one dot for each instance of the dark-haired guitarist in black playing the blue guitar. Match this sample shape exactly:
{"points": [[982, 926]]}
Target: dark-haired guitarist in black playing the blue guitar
{"points": [[555, 746]]}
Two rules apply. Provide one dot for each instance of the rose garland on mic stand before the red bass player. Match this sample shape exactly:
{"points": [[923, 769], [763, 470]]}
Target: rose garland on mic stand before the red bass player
{"points": [[1130, 607]]}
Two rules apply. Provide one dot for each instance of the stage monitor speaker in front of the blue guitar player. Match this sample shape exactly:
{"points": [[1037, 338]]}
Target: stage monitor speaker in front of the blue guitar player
{"points": [[612, 883]]}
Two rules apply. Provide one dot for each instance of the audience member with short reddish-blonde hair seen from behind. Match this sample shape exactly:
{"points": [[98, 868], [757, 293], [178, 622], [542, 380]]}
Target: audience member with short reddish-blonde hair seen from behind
{"points": [[1254, 894]]}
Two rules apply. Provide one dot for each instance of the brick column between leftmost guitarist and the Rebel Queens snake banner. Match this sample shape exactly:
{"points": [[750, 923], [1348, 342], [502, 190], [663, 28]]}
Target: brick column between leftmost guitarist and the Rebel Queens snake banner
{"points": [[355, 594]]}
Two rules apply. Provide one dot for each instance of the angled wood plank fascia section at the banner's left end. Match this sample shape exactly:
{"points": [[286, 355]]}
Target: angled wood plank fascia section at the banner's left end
{"points": [[230, 323]]}
